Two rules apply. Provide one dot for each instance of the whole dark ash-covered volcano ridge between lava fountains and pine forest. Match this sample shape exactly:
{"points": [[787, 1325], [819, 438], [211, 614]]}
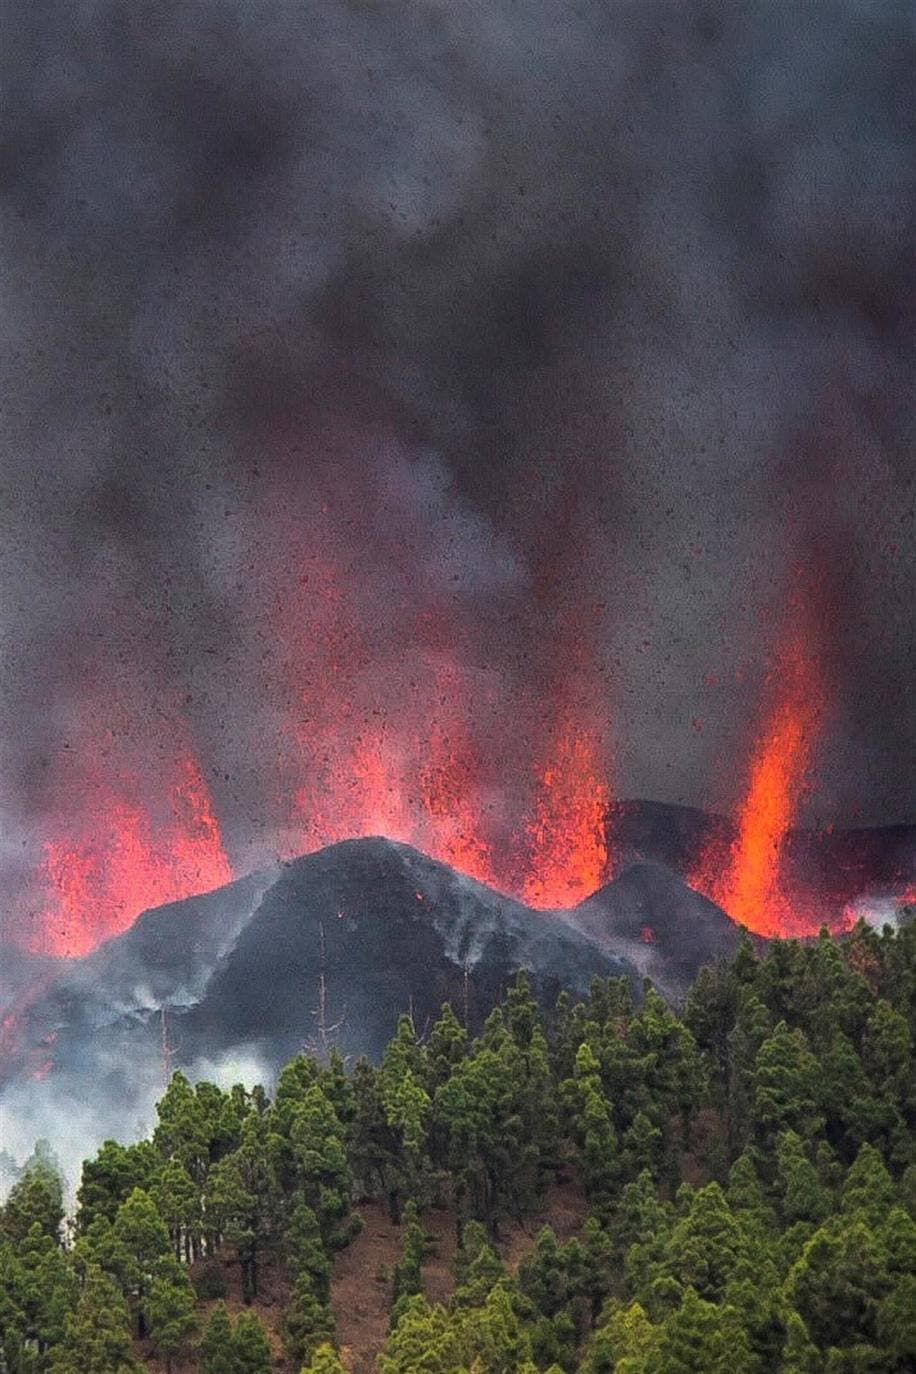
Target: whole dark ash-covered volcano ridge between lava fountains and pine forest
{"points": [[332, 947]]}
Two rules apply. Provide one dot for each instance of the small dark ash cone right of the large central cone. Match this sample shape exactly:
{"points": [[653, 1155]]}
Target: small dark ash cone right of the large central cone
{"points": [[650, 917]]}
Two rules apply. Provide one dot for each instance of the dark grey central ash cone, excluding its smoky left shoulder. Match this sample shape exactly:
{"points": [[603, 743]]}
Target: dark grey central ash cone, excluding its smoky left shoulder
{"points": [[389, 930]]}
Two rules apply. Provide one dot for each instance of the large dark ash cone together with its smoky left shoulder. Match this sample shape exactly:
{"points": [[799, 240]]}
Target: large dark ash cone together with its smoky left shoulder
{"points": [[384, 927]]}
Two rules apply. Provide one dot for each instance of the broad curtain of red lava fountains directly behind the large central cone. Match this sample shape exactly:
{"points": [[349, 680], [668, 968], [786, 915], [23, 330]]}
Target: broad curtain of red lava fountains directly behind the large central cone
{"points": [[414, 772]]}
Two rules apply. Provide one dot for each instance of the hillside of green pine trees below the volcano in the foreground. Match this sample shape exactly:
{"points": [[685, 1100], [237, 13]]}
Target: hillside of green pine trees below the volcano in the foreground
{"points": [[584, 1188]]}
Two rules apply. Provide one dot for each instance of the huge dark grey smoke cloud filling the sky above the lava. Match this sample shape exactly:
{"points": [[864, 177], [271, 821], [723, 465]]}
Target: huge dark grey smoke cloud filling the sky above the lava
{"points": [[583, 324]]}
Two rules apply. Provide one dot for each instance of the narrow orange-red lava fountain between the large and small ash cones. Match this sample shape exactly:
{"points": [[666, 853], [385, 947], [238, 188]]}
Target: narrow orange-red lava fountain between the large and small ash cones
{"points": [[568, 842]]}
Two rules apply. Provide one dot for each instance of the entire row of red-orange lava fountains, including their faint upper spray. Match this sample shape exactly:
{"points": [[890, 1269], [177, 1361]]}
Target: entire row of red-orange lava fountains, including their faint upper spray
{"points": [[505, 782]]}
